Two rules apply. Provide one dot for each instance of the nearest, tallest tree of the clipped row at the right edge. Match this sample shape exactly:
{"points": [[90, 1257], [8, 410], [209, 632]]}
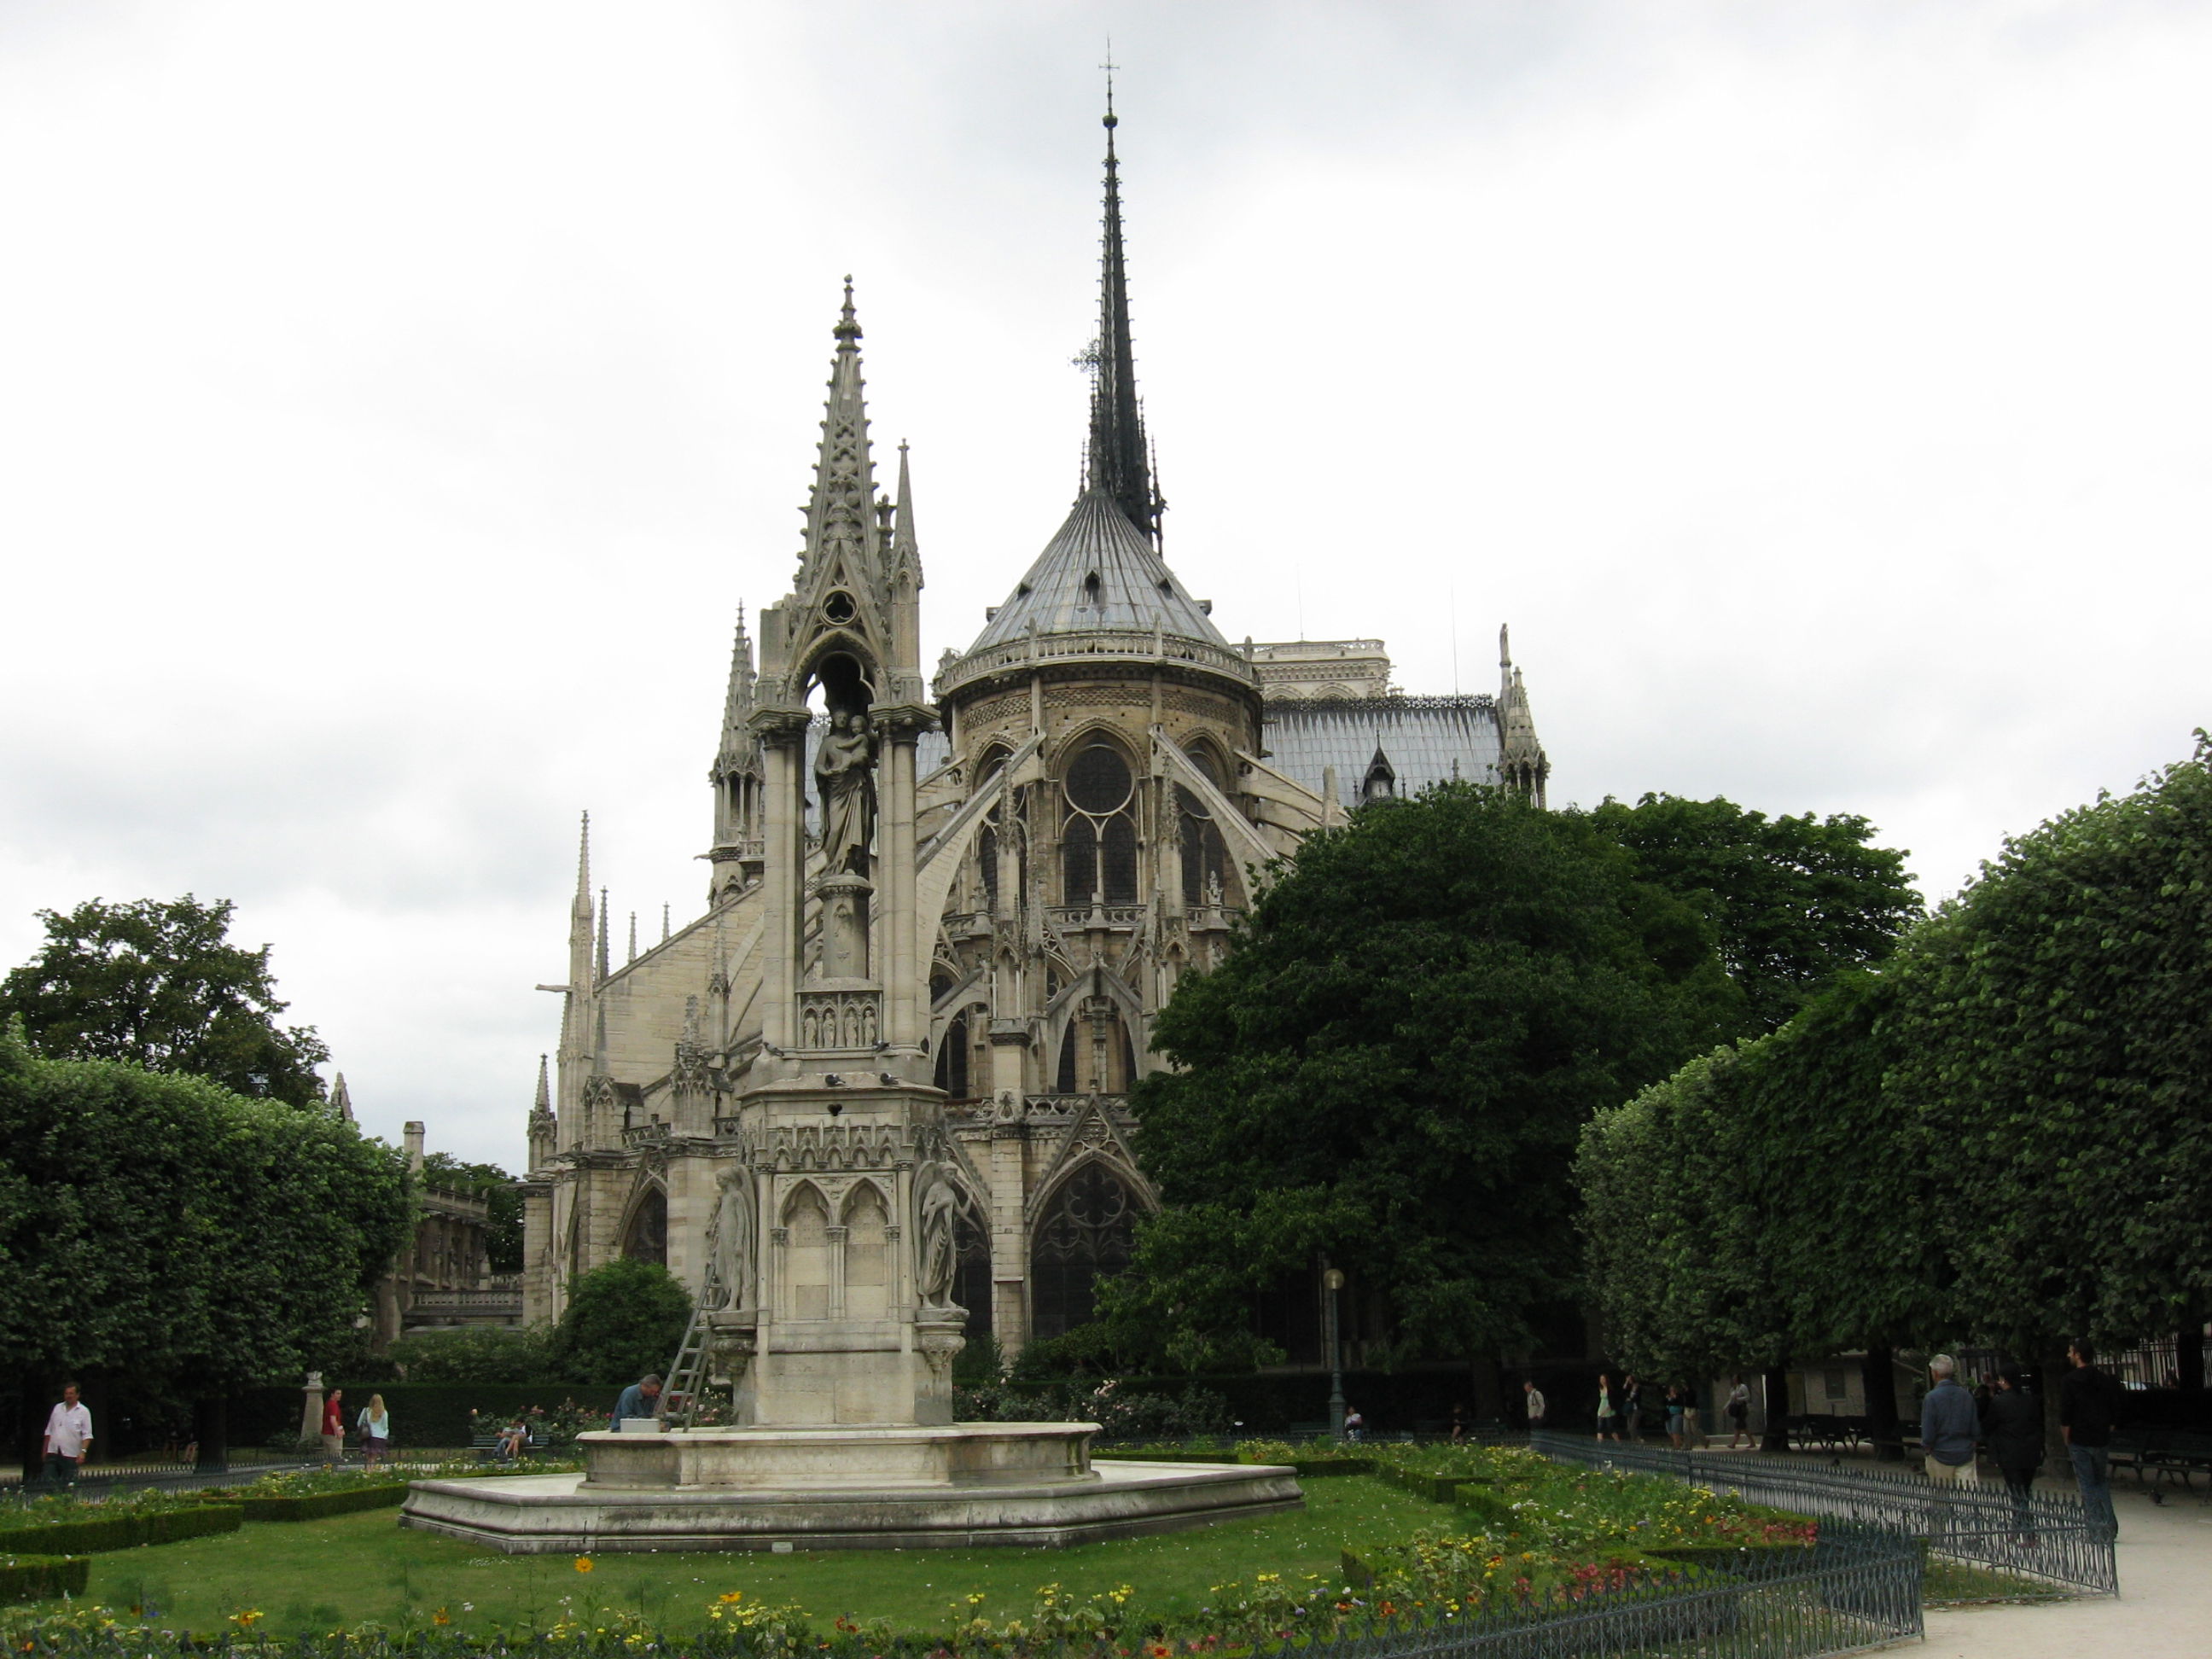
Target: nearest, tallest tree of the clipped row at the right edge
{"points": [[2065, 1070]]}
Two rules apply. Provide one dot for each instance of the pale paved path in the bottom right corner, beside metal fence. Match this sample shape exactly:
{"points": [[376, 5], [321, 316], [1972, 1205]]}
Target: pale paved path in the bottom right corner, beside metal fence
{"points": [[2164, 1607]]}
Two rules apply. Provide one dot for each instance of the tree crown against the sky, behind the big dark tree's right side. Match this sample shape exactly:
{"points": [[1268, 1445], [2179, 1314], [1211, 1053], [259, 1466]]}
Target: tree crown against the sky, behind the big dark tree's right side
{"points": [[1791, 901]]}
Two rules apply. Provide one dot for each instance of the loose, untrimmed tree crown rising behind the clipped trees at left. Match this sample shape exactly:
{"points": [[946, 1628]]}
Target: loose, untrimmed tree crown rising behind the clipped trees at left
{"points": [[160, 985]]}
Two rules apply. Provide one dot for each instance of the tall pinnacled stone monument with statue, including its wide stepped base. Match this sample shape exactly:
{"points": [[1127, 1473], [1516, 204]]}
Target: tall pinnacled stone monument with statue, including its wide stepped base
{"points": [[828, 1304]]}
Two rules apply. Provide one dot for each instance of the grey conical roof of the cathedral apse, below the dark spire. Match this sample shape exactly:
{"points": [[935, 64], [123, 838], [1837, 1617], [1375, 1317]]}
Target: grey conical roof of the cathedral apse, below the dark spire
{"points": [[1098, 576]]}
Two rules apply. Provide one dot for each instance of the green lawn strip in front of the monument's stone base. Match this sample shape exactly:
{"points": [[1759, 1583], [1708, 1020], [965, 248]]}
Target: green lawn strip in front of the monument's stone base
{"points": [[320, 1576]]}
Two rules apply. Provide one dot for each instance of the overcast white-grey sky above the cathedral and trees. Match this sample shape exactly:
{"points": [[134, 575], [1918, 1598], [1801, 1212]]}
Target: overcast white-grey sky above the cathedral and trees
{"points": [[399, 399]]}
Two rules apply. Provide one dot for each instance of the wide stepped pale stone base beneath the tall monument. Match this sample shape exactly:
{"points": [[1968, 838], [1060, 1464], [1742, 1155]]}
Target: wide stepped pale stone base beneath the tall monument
{"points": [[906, 1488]]}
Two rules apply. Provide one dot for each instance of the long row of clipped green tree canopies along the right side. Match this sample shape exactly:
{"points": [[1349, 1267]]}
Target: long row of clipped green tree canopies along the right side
{"points": [[1996, 1138]]}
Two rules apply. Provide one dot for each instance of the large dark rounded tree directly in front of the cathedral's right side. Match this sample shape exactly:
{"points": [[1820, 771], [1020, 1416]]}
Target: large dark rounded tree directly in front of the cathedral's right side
{"points": [[1395, 1063]]}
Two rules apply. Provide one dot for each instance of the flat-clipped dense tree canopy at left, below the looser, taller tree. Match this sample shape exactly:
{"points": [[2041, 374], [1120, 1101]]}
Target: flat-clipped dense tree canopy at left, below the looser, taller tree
{"points": [[171, 1229]]}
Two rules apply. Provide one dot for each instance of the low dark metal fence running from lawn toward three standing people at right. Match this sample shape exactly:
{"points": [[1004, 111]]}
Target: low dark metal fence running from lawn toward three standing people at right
{"points": [[2041, 1536]]}
